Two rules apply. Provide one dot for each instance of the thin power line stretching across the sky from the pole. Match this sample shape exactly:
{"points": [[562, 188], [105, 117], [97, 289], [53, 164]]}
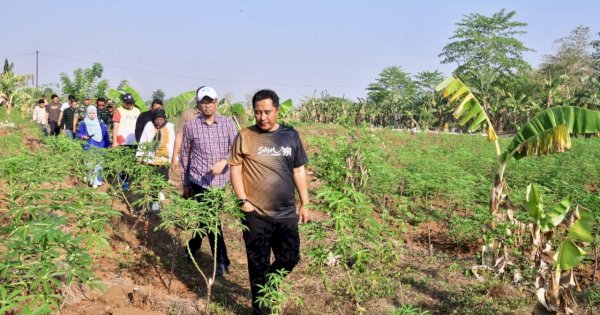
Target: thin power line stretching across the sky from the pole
{"points": [[199, 78]]}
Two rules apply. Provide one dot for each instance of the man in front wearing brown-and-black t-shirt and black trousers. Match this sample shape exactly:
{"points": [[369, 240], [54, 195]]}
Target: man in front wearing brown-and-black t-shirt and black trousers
{"points": [[267, 164]]}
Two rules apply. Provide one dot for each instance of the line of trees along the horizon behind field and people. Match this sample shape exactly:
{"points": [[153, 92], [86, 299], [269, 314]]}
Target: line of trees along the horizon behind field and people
{"points": [[489, 59]]}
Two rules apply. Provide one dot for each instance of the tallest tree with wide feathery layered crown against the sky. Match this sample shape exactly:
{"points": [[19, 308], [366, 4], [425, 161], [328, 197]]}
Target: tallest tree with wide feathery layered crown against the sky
{"points": [[486, 49]]}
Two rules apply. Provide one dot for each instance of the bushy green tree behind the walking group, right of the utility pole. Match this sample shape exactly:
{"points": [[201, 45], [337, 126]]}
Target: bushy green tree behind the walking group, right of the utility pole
{"points": [[85, 82]]}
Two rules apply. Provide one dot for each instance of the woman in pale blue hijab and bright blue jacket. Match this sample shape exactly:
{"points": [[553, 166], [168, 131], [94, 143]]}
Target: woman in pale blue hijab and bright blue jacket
{"points": [[94, 132]]}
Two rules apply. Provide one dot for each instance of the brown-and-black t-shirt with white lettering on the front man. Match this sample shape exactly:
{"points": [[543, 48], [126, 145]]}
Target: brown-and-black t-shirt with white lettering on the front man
{"points": [[268, 160]]}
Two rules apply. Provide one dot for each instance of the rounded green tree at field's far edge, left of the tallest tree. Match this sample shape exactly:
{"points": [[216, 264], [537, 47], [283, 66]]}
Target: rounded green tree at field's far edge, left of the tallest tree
{"points": [[391, 98]]}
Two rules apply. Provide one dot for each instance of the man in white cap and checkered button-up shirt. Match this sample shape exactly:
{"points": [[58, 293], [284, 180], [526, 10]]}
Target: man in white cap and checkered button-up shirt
{"points": [[205, 148]]}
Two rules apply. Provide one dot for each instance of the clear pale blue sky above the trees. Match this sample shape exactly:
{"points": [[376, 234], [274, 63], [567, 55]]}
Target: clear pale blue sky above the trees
{"points": [[297, 48]]}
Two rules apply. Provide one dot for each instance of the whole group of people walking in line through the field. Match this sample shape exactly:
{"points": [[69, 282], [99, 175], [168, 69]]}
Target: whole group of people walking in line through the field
{"points": [[264, 163]]}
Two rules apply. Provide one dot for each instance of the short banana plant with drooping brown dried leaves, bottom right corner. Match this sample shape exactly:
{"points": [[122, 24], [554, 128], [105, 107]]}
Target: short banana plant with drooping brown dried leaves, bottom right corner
{"points": [[553, 288]]}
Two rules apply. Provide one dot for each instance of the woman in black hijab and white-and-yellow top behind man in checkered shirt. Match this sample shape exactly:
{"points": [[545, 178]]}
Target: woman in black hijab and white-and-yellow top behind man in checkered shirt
{"points": [[156, 146]]}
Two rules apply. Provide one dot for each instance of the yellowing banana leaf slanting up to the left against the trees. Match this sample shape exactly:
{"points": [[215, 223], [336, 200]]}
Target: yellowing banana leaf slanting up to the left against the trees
{"points": [[467, 108]]}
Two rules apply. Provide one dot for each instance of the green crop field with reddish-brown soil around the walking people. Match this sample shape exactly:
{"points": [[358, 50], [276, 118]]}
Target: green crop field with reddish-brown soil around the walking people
{"points": [[398, 226]]}
